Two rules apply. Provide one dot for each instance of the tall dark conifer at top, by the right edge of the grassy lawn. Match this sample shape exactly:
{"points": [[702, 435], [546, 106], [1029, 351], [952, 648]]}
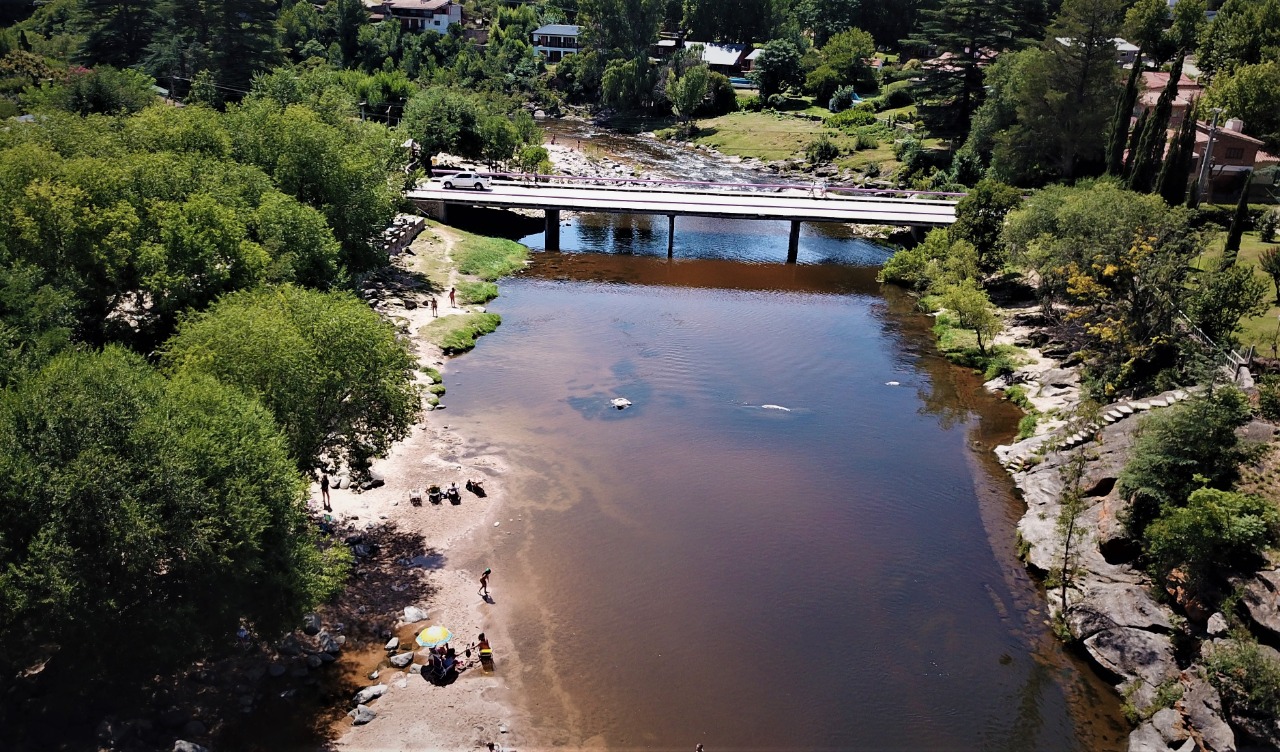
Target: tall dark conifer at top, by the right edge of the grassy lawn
{"points": [[966, 34]]}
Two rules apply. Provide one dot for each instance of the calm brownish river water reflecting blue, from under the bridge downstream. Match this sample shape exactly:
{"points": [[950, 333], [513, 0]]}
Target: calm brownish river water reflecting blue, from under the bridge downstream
{"points": [[700, 568]]}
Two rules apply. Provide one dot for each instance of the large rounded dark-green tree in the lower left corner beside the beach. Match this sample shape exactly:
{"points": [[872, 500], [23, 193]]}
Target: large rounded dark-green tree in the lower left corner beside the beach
{"points": [[140, 508]]}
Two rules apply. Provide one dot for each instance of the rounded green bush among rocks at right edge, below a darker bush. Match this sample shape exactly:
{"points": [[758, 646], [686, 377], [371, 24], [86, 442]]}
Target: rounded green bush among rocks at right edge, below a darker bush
{"points": [[1215, 534]]}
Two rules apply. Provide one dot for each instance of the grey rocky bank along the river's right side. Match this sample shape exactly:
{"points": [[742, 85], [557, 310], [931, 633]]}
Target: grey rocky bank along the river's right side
{"points": [[1150, 652]]}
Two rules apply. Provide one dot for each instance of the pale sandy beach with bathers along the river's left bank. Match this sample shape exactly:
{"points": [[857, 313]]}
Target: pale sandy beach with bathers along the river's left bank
{"points": [[479, 708]]}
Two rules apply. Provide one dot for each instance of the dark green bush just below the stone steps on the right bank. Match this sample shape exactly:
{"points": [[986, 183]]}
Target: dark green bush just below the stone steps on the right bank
{"points": [[1182, 450]]}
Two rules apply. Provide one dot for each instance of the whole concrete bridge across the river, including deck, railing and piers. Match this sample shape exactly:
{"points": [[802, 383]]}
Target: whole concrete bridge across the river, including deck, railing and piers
{"points": [[798, 204]]}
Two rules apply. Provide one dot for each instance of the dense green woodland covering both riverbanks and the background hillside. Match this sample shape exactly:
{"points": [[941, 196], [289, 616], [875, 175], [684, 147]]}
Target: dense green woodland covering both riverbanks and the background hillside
{"points": [[191, 192]]}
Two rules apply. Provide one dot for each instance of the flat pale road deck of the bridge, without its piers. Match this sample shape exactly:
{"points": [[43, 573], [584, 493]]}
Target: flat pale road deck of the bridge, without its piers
{"points": [[721, 204]]}
